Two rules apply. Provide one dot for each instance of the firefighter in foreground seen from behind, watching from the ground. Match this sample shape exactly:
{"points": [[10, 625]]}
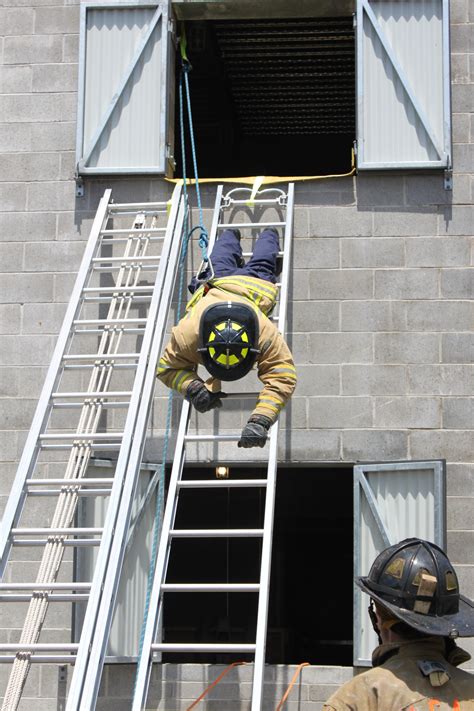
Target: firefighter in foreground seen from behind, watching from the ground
{"points": [[417, 612]]}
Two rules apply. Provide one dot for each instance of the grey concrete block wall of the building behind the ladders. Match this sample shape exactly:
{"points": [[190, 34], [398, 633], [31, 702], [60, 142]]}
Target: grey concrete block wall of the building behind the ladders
{"points": [[380, 317]]}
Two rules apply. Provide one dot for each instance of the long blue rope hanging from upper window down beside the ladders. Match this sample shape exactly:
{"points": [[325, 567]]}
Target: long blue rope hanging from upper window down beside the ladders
{"points": [[185, 237]]}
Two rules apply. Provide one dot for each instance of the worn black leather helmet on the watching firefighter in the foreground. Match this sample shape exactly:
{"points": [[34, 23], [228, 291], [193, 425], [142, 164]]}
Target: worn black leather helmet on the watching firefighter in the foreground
{"points": [[415, 581]]}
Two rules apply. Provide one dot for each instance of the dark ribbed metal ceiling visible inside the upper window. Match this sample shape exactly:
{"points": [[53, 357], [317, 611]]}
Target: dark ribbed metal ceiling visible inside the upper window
{"points": [[290, 76]]}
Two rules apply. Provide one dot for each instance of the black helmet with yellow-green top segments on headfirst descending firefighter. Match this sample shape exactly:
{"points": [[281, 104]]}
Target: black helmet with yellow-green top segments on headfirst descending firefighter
{"points": [[228, 334]]}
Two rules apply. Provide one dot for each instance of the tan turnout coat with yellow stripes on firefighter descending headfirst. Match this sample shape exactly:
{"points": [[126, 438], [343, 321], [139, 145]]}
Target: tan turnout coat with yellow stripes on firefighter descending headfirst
{"points": [[275, 367]]}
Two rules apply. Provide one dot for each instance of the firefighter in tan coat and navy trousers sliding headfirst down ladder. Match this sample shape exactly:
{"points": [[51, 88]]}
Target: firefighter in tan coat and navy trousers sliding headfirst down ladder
{"points": [[226, 328]]}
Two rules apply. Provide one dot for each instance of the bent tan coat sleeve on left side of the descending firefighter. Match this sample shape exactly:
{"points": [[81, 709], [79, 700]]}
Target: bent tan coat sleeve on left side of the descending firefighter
{"points": [[177, 366]]}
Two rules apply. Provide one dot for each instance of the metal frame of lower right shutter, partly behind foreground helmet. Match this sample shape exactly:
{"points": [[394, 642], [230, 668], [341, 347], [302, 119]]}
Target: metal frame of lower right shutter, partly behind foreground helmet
{"points": [[362, 488]]}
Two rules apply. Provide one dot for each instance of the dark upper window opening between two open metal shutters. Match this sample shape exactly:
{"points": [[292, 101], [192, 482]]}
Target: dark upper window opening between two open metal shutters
{"points": [[271, 97]]}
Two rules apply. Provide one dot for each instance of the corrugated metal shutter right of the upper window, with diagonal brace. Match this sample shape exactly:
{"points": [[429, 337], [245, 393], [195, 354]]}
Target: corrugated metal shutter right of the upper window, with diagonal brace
{"points": [[391, 132]]}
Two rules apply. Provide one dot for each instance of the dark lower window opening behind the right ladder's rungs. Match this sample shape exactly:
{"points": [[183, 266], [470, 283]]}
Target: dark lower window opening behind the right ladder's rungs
{"points": [[310, 612]]}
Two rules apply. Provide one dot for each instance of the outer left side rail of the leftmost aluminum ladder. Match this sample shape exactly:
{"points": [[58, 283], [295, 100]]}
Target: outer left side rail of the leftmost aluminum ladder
{"points": [[31, 450]]}
